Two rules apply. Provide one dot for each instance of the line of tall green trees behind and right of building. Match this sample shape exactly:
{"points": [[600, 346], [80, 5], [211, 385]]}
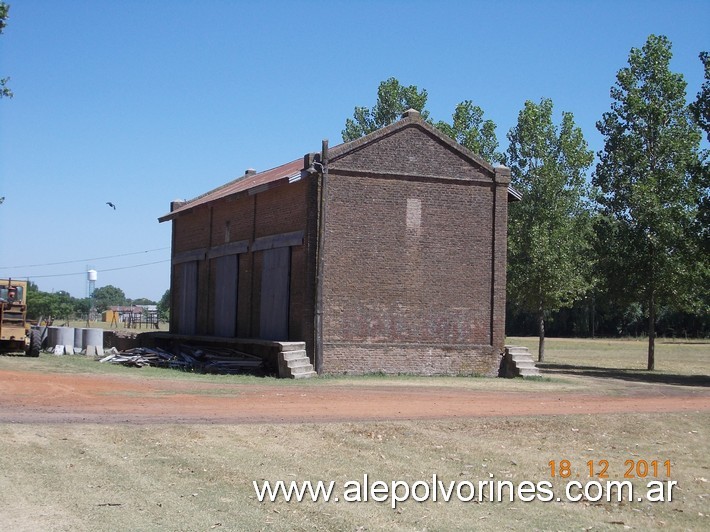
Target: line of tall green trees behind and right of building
{"points": [[623, 251]]}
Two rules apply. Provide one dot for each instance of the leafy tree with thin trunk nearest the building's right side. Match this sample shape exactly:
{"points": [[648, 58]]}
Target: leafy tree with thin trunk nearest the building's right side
{"points": [[548, 253]]}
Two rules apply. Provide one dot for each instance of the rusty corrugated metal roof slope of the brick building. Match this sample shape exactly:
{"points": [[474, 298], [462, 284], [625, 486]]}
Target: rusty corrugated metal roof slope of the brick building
{"points": [[289, 172]]}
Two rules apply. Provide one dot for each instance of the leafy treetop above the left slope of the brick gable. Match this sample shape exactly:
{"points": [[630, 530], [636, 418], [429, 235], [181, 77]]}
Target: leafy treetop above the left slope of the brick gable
{"points": [[392, 100]]}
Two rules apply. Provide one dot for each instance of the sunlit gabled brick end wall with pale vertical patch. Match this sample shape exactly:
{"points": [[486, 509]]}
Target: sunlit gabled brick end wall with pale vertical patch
{"points": [[410, 257]]}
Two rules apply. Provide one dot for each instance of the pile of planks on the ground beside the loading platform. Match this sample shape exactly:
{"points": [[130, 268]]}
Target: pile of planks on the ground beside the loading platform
{"points": [[198, 359]]}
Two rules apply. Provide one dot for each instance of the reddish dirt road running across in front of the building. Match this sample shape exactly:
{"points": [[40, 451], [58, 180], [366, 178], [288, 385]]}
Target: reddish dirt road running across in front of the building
{"points": [[29, 397]]}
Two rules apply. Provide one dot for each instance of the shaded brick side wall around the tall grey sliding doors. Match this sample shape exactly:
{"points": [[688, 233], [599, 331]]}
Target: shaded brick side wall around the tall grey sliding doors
{"points": [[281, 209]]}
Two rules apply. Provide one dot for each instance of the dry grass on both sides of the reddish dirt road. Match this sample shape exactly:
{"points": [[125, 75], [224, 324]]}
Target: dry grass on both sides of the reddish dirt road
{"points": [[199, 477]]}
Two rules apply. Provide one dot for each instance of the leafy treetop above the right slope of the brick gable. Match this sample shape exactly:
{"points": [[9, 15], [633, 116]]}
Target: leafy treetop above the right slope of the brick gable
{"points": [[470, 130]]}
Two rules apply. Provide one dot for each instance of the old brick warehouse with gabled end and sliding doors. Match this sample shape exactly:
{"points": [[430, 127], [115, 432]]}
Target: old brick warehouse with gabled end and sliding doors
{"points": [[385, 254]]}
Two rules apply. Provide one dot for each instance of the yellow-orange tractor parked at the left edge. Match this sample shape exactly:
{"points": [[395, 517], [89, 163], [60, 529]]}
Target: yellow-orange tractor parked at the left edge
{"points": [[15, 332]]}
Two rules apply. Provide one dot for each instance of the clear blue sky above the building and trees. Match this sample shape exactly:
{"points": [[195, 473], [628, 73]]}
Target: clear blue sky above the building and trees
{"points": [[143, 102]]}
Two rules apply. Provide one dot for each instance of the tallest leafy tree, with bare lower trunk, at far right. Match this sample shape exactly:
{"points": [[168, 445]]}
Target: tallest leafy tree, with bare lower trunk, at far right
{"points": [[650, 188]]}
